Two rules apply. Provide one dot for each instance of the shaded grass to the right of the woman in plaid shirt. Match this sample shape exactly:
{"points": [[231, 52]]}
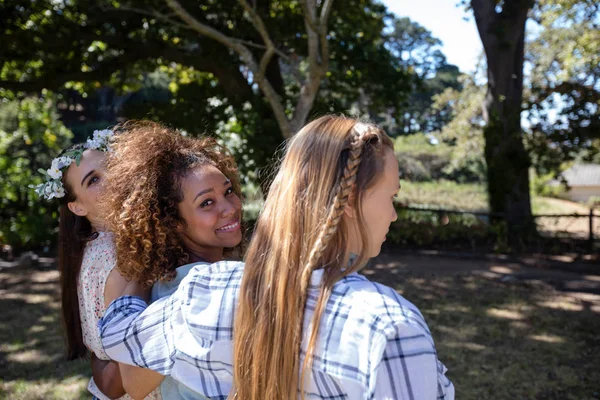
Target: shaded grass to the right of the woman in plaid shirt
{"points": [[506, 340]]}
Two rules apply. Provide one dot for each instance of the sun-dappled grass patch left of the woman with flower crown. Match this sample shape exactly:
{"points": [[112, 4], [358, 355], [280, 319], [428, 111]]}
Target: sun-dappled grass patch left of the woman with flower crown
{"points": [[32, 362]]}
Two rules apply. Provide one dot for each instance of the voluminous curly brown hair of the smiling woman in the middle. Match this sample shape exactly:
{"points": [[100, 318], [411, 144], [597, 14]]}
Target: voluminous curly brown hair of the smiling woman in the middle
{"points": [[144, 173]]}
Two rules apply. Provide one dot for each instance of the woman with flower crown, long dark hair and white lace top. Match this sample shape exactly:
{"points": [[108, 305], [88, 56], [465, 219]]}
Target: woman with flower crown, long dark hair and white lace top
{"points": [[86, 260]]}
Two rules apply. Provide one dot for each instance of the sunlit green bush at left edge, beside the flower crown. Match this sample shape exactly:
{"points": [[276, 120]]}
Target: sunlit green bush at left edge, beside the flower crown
{"points": [[31, 134]]}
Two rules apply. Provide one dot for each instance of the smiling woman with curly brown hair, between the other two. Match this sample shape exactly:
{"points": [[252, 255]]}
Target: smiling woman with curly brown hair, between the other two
{"points": [[171, 202]]}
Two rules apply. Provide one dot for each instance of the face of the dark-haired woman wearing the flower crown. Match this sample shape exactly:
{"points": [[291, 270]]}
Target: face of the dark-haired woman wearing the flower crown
{"points": [[83, 181]]}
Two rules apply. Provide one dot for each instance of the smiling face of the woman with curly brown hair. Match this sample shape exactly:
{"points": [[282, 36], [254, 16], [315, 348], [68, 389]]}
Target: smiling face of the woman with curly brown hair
{"points": [[212, 212]]}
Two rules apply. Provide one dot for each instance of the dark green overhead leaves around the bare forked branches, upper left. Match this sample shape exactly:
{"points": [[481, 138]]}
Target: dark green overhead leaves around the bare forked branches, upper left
{"points": [[82, 45]]}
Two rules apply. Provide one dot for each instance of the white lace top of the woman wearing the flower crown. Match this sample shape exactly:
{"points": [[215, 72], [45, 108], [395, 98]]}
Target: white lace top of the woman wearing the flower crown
{"points": [[99, 259]]}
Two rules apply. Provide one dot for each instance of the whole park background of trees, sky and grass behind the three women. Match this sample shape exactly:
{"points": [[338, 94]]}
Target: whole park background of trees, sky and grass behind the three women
{"points": [[493, 106]]}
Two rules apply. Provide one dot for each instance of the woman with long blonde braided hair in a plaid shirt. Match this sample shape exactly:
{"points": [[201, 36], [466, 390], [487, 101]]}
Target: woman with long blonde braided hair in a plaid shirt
{"points": [[296, 320]]}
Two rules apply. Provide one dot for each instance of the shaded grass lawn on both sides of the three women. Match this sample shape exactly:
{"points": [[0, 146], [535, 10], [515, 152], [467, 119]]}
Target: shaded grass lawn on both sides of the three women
{"points": [[499, 340]]}
